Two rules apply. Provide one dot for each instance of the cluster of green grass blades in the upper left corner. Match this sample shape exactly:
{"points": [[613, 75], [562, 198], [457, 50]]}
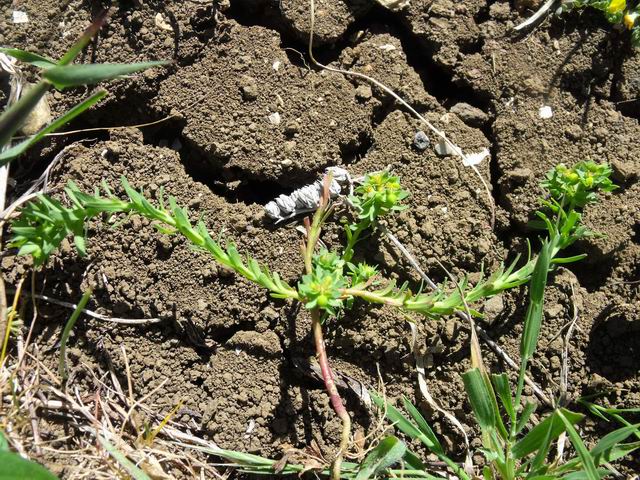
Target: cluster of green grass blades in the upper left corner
{"points": [[60, 75]]}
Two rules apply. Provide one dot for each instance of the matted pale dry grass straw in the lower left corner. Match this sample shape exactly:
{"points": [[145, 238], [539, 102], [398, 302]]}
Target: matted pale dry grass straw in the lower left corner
{"points": [[66, 428]]}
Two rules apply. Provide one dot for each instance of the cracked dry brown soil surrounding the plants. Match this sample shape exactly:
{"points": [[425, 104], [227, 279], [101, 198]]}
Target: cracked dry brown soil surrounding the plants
{"points": [[251, 120]]}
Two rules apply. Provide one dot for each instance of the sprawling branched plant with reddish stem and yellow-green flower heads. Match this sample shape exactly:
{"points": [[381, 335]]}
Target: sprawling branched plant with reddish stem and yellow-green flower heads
{"points": [[332, 281]]}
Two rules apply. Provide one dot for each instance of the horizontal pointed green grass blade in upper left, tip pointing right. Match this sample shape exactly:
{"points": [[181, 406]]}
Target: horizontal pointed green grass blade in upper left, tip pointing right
{"points": [[86, 74]]}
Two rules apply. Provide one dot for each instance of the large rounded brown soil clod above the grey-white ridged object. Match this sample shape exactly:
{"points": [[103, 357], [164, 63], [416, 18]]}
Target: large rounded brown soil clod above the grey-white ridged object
{"points": [[228, 97]]}
